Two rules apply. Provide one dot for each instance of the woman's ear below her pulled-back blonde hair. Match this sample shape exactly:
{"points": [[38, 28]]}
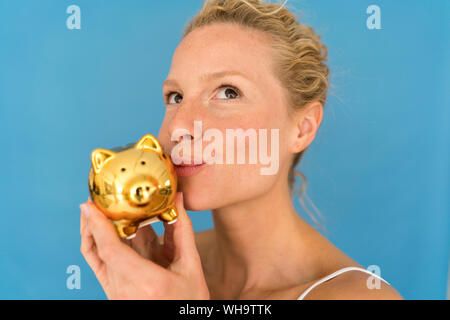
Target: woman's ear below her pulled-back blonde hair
{"points": [[307, 122]]}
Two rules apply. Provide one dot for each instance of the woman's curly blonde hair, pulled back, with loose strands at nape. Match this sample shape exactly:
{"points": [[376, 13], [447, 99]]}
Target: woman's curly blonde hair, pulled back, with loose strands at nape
{"points": [[300, 56]]}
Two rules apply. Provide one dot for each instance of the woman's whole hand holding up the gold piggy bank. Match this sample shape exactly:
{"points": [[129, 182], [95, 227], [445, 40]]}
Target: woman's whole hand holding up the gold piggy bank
{"points": [[142, 268]]}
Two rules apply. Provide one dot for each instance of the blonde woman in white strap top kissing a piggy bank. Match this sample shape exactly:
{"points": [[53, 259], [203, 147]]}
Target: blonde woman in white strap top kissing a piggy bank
{"points": [[240, 64]]}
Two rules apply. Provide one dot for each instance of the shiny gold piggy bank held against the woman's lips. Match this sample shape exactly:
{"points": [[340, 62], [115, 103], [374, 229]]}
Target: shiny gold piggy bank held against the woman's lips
{"points": [[134, 185]]}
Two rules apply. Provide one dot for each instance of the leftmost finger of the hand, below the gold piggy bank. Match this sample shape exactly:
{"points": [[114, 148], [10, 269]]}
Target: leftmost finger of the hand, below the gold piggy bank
{"points": [[115, 254]]}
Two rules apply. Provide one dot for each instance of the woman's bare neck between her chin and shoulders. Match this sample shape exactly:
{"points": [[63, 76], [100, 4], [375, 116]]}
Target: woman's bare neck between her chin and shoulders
{"points": [[257, 243]]}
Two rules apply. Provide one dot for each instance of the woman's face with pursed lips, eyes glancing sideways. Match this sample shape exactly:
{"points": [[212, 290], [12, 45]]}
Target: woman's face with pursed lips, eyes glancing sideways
{"points": [[221, 75]]}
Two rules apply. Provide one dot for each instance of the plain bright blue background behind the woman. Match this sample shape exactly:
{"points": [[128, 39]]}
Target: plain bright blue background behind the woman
{"points": [[378, 170]]}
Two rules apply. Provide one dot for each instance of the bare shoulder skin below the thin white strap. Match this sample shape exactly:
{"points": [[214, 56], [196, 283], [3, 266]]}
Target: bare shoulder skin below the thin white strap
{"points": [[353, 285]]}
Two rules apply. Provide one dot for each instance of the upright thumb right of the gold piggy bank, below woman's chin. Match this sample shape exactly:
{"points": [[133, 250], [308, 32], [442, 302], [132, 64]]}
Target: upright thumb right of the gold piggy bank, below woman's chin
{"points": [[179, 235]]}
